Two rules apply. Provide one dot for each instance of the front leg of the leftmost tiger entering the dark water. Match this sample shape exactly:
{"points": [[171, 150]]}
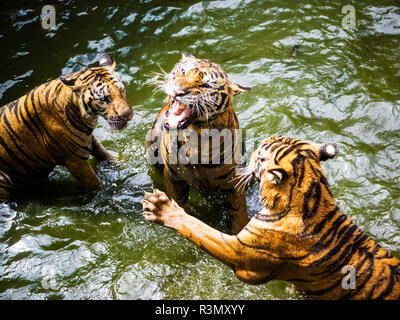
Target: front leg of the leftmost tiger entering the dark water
{"points": [[83, 172]]}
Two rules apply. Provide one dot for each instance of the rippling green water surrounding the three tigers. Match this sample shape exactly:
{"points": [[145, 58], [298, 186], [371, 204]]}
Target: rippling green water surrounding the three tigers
{"points": [[61, 242]]}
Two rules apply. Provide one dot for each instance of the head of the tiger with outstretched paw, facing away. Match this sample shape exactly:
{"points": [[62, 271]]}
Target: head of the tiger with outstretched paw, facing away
{"points": [[290, 174]]}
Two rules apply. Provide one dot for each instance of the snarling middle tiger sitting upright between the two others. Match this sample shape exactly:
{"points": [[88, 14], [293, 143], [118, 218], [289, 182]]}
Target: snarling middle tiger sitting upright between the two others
{"points": [[200, 101]]}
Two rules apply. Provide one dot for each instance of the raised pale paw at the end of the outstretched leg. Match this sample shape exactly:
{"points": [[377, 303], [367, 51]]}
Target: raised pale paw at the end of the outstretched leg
{"points": [[158, 208]]}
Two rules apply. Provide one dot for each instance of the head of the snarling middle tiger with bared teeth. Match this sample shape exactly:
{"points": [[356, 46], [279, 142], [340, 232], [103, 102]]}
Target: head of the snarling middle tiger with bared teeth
{"points": [[198, 90]]}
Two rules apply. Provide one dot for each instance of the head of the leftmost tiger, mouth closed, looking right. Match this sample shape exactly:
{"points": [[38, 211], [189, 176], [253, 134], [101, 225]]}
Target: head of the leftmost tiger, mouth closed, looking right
{"points": [[100, 91]]}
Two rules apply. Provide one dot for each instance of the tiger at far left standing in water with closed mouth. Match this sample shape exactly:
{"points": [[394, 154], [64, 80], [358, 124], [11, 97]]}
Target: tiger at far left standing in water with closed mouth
{"points": [[53, 125]]}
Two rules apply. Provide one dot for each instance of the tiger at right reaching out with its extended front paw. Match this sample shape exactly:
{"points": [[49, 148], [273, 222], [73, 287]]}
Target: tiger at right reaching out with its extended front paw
{"points": [[299, 236]]}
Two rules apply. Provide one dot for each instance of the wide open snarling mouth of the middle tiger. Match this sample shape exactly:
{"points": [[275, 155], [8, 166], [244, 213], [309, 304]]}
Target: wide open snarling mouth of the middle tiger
{"points": [[178, 116]]}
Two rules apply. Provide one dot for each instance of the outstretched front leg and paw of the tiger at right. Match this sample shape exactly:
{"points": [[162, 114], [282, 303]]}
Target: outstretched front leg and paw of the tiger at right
{"points": [[250, 266]]}
